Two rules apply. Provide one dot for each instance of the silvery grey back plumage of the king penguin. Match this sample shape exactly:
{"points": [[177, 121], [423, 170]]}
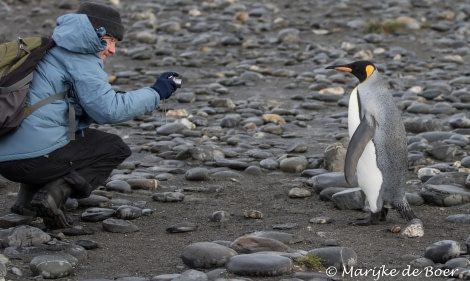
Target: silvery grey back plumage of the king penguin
{"points": [[390, 136]]}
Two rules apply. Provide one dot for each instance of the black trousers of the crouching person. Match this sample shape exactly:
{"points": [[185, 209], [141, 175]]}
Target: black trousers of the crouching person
{"points": [[84, 163]]}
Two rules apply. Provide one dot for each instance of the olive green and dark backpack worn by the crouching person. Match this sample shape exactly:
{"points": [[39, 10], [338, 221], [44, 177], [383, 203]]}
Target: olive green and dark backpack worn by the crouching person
{"points": [[18, 59]]}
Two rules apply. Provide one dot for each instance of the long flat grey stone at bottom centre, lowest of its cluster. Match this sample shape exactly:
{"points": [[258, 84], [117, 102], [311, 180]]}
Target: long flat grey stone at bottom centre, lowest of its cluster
{"points": [[259, 265]]}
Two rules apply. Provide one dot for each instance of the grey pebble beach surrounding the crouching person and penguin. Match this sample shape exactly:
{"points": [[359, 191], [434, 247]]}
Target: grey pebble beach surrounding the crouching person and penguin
{"points": [[238, 176]]}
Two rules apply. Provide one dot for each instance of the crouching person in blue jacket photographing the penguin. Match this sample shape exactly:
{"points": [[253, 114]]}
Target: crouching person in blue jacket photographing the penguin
{"points": [[52, 161]]}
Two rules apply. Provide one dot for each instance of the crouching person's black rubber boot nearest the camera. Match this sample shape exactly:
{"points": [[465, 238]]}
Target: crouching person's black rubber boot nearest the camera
{"points": [[49, 204]]}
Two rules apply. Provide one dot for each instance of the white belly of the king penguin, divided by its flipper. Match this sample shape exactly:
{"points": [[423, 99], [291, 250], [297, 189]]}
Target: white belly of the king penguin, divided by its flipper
{"points": [[369, 176]]}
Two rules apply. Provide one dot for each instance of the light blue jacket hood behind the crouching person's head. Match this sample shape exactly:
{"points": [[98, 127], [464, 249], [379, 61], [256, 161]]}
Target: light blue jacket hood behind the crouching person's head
{"points": [[75, 33]]}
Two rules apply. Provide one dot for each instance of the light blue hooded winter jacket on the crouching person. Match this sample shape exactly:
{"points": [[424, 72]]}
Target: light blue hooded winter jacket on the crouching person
{"points": [[73, 64]]}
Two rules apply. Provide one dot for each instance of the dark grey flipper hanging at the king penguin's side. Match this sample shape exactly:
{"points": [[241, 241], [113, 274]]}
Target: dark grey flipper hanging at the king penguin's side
{"points": [[363, 134]]}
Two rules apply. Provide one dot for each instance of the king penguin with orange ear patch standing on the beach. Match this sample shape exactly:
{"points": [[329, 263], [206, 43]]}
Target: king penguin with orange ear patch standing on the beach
{"points": [[377, 149]]}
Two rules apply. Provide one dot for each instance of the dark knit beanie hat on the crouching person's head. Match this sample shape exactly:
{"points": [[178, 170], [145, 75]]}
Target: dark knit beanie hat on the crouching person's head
{"points": [[103, 16]]}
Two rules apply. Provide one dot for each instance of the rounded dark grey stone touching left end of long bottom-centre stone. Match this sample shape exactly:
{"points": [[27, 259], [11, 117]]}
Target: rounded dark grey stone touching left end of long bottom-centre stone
{"points": [[206, 255]]}
